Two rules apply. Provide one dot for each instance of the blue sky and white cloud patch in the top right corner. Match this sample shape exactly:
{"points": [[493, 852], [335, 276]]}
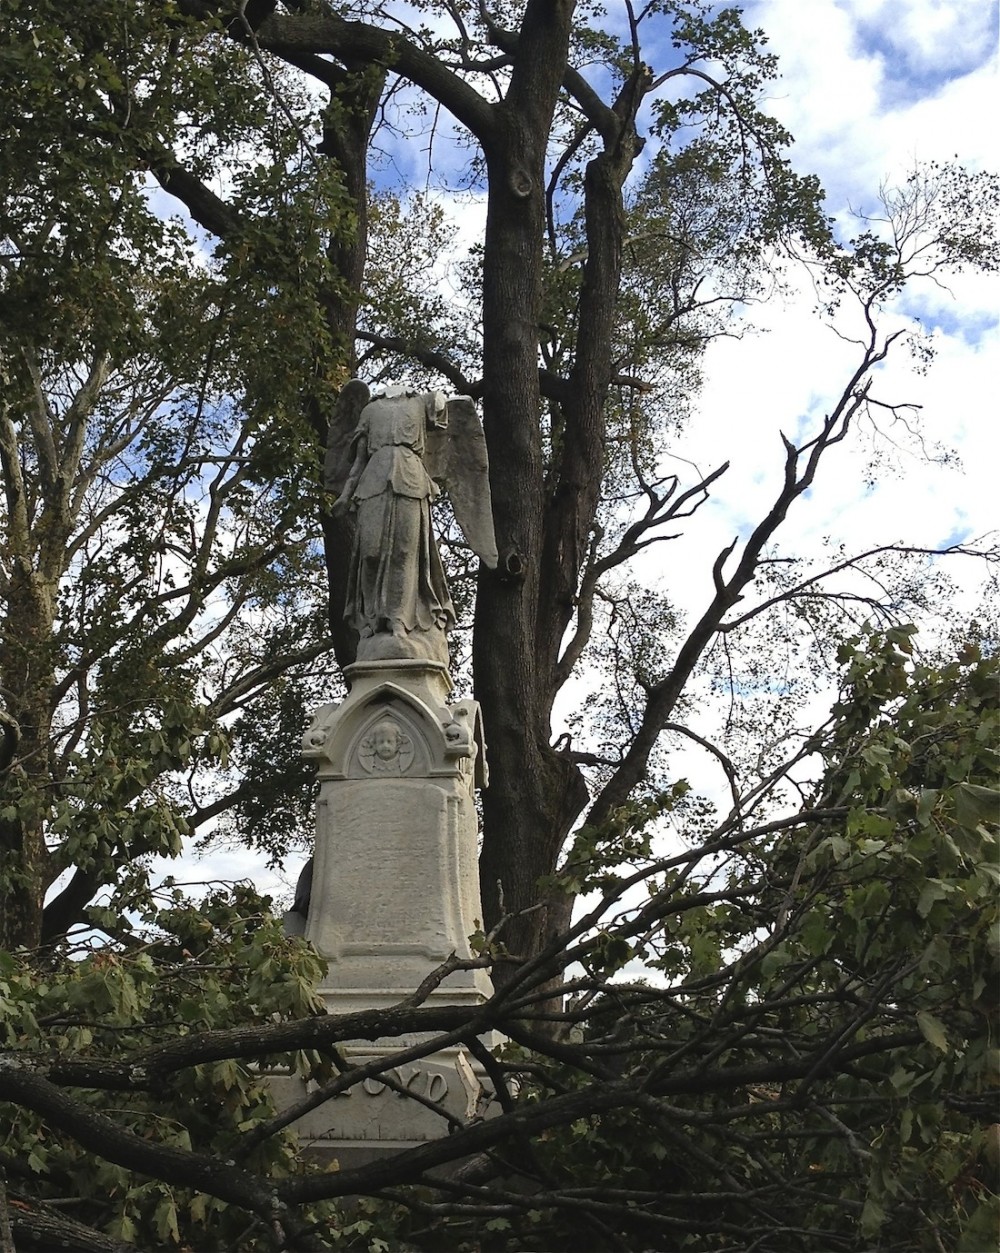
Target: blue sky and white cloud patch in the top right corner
{"points": [[869, 88]]}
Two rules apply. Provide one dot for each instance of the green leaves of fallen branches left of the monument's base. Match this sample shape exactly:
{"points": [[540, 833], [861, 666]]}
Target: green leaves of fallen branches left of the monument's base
{"points": [[222, 962]]}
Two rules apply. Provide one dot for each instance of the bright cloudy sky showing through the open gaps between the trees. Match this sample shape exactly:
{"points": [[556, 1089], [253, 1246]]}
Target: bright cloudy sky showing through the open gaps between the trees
{"points": [[869, 88]]}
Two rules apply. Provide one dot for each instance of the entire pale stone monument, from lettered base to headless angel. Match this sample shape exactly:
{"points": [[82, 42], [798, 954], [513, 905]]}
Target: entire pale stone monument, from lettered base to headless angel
{"points": [[395, 881]]}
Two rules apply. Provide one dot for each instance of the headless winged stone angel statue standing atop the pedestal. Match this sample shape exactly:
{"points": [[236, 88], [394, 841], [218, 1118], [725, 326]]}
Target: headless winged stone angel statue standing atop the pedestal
{"points": [[404, 448]]}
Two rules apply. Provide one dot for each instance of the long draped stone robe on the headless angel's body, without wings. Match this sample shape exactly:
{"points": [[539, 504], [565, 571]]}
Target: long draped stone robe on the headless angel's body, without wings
{"points": [[397, 582]]}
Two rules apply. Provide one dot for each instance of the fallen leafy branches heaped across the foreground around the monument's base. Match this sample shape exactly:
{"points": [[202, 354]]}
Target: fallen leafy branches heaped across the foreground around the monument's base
{"points": [[811, 1063]]}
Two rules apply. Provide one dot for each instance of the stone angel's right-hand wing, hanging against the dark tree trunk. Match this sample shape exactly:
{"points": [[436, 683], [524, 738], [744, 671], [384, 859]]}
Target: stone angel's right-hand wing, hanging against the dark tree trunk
{"points": [[457, 458]]}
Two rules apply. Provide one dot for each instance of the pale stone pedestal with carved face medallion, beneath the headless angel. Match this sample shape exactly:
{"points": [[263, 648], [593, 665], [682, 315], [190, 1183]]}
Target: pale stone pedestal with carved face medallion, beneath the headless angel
{"points": [[395, 886]]}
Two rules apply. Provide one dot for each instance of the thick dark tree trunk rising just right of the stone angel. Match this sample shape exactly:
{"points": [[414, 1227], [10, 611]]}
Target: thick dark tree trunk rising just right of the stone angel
{"points": [[536, 794]]}
